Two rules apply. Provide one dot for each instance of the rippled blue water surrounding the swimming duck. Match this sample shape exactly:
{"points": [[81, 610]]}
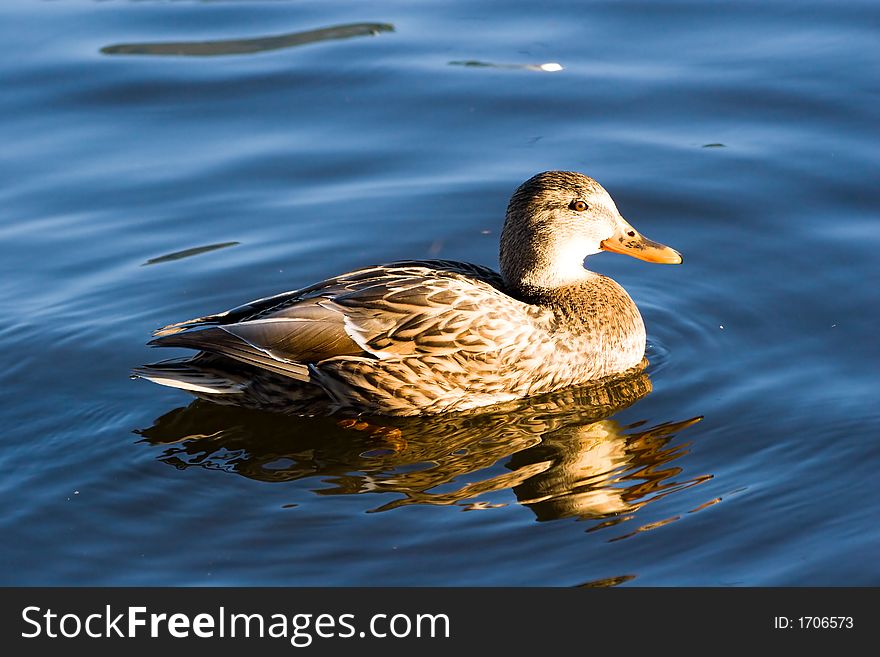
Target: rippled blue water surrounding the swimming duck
{"points": [[140, 188]]}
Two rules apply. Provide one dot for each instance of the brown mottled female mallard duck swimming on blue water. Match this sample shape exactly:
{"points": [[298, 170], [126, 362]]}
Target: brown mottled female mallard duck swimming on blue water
{"points": [[430, 336]]}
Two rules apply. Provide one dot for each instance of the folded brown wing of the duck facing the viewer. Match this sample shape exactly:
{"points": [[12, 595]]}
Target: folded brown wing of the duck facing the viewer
{"points": [[403, 309]]}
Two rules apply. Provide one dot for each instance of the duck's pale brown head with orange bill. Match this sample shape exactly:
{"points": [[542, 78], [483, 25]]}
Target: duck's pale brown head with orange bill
{"points": [[556, 219]]}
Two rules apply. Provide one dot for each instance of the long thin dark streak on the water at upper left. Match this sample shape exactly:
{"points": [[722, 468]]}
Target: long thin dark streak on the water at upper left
{"points": [[247, 46]]}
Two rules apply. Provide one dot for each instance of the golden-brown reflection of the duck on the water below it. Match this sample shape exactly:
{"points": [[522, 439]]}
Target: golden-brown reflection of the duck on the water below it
{"points": [[562, 455]]}
